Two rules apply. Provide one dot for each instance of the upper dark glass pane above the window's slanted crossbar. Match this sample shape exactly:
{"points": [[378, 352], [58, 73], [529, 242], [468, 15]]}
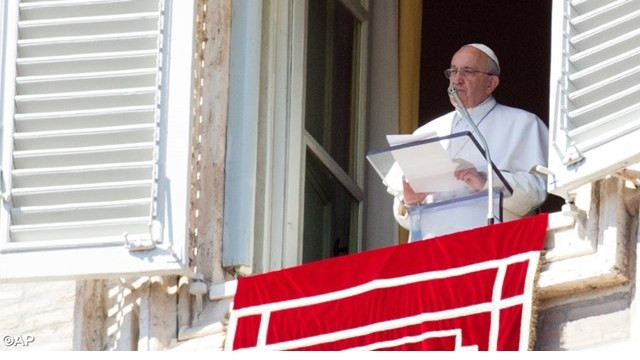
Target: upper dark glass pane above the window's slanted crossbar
{"points": [[329, 99]]}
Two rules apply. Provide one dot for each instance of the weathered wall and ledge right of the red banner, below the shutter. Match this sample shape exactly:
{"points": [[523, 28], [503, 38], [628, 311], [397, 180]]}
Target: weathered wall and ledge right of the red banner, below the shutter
{"points": [[590, 301]]}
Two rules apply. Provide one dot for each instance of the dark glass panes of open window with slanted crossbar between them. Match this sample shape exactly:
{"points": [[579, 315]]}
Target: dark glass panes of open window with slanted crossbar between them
{"points": [[332, 195]]}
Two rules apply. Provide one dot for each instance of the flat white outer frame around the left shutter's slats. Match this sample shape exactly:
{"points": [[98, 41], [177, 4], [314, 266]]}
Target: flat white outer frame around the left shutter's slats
{"points": [[170, 256]]}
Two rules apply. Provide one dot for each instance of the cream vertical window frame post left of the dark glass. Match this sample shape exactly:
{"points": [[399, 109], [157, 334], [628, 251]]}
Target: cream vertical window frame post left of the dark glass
{"points": [[282, 108]]}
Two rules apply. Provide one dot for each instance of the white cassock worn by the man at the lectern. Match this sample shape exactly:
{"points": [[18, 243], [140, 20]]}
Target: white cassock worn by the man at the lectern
{"points": [[518, 142]]}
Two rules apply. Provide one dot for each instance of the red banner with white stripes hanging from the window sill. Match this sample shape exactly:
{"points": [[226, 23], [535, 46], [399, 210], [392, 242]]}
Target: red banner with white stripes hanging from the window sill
{"points": [[471, 290]]}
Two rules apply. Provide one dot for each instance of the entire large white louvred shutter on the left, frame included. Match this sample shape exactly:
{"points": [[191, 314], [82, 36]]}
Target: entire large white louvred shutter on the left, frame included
{"points": [[91, 178]]}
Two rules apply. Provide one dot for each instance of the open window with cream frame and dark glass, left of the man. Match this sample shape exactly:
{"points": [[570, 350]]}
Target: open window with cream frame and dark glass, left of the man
{"points": [[309, 171]]}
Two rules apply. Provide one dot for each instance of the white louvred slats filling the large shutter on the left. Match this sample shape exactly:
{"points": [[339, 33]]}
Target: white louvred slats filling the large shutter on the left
{"points": [[83, 169]]}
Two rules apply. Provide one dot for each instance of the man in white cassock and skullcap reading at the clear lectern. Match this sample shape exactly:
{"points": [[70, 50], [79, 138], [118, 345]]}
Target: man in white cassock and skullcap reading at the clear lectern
{"points": [[517, 141]]}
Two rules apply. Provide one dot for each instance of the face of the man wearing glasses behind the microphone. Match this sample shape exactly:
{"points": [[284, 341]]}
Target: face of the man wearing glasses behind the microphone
{"points": [[476, 88]]}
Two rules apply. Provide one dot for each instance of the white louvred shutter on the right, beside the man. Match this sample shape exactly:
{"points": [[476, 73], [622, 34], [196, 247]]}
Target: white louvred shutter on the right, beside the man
{"points": [[595, 90]]}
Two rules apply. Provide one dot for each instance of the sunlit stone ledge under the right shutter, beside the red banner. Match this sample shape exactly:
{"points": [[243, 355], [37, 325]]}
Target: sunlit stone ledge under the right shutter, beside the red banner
{"points": [[591, 252]]}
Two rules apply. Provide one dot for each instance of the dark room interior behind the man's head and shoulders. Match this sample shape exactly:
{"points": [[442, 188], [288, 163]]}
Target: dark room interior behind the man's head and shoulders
{"points": [[519, 32]]}
